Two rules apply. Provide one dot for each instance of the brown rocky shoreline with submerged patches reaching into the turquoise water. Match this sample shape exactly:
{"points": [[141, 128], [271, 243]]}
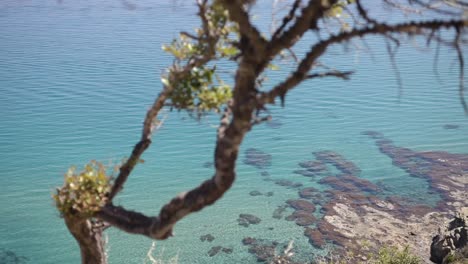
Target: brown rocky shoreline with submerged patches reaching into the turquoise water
{"points": [[355, 215]]}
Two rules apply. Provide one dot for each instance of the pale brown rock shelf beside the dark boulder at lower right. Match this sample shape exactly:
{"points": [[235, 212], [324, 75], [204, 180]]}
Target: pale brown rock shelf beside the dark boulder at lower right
{"points": [[354, 210]]}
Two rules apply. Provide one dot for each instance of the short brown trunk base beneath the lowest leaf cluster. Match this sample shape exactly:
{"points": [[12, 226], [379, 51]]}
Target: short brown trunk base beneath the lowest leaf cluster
{"points": [[89, 239]]}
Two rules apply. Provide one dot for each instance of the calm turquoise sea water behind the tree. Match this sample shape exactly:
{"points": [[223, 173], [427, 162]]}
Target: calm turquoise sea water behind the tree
{"points": [[76, 79]]}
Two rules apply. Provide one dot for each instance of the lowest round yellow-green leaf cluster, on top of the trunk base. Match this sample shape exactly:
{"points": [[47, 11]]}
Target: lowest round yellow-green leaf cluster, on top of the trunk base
{"points": [[83, 193]]}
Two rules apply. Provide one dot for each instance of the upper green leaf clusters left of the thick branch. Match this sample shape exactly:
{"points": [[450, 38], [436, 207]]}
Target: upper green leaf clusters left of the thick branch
{"points": [[200, 89]]}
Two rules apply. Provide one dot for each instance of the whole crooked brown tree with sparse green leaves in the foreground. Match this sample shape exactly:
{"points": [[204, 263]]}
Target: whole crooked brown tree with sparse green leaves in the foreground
{"points": [[193, 84]]}
